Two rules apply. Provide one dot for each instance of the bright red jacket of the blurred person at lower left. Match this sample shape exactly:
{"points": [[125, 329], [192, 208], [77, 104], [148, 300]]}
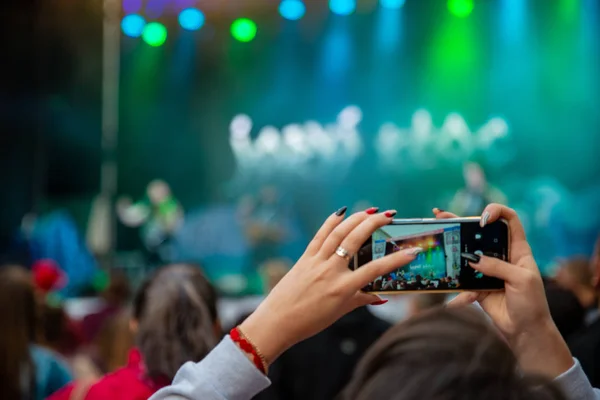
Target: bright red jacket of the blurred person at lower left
{"points": [[127, 383]]}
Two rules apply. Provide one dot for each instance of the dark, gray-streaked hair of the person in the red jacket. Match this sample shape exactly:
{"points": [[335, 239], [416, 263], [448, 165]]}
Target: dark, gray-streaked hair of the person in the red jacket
{"points": [[176, 312]]}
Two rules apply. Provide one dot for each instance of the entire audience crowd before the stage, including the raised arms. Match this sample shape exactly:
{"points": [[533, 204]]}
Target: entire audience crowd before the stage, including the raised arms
{"points": [[312, 336]]}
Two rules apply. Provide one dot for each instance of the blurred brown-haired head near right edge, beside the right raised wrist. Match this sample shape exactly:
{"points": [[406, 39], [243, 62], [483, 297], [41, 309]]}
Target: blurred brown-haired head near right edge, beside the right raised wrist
{"points": [[575, 274]]}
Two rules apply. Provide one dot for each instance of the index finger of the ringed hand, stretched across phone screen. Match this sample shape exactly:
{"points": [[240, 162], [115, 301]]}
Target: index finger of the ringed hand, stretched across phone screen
{"points": [[360, 277]]}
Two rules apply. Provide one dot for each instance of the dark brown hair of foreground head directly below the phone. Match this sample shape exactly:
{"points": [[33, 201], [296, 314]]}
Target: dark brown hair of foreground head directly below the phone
{"points": [[443, 354]]}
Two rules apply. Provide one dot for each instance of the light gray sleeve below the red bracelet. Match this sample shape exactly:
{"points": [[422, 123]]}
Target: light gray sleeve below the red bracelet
{"points": [[224, 374]]}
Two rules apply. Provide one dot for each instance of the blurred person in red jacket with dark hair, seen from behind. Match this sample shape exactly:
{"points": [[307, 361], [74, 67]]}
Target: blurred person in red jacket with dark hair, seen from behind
{"points": [[174, 321]]}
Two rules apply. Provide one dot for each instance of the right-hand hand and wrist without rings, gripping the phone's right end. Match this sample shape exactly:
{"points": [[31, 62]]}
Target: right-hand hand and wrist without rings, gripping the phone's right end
{"points": [[520, 312]]}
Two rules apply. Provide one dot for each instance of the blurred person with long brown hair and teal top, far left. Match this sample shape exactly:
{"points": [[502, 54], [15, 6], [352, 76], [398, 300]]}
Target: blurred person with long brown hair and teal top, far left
{"points": [[27, 370]]}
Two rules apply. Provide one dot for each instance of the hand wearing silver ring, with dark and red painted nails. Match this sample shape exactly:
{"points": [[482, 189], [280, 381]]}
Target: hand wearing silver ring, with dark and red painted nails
{"points": [[321, 288]]}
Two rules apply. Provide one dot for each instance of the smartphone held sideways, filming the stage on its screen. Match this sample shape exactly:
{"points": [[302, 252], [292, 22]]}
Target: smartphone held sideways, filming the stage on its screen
{"points": [[443, 266]]}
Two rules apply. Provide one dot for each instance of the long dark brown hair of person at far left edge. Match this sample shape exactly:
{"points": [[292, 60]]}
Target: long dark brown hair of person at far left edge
{"points": [[18, 321]]}
